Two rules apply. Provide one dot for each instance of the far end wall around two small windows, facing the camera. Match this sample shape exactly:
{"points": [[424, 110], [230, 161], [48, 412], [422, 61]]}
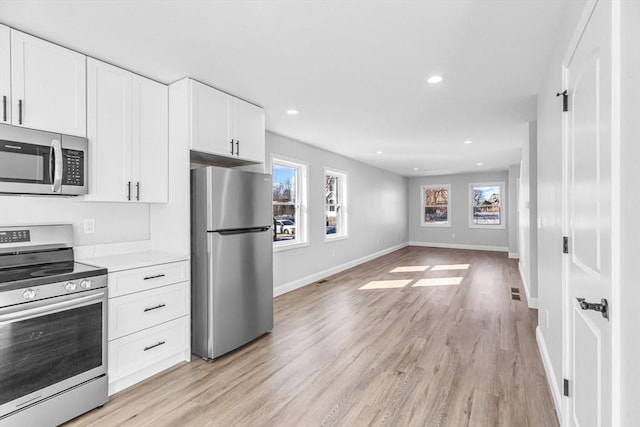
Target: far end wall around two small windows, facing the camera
{"points": [[492, 239]]}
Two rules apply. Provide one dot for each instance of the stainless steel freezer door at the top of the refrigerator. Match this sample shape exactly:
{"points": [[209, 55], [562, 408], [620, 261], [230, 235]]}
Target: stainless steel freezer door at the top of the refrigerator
{"points": [[235, 199]]}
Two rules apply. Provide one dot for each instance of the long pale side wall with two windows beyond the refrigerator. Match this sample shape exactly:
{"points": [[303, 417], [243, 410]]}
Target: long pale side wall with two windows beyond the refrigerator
{"points": [[377, 222]]}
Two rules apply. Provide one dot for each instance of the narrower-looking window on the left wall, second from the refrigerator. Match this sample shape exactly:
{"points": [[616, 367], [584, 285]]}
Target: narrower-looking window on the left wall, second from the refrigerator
{"points": [[335, 204]]}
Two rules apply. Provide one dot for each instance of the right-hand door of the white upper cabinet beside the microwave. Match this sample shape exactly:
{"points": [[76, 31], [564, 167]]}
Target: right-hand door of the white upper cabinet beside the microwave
{"points": [[151, 140]]}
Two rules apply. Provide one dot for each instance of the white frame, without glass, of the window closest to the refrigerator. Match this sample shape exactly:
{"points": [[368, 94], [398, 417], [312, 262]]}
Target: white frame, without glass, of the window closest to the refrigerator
{"points": [[301, 239]]}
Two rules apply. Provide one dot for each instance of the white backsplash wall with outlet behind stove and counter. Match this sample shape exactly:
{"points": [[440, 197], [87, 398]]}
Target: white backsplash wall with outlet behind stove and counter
{"points": [[115, 222]]}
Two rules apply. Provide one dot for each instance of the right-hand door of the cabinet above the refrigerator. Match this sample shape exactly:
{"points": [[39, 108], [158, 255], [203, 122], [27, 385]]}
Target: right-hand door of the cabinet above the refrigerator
{"points": [[248, 127]]}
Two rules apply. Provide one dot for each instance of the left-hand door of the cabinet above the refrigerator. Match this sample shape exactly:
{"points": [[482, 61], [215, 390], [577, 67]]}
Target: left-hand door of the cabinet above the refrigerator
{"points": [[211, 121]]}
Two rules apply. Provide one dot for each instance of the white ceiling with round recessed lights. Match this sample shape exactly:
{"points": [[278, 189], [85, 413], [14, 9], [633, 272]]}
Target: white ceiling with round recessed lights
{"points": [[355, 70]]}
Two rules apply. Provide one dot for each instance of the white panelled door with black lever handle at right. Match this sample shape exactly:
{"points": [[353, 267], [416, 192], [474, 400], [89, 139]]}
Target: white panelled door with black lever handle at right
{"points": [[589, 208]]}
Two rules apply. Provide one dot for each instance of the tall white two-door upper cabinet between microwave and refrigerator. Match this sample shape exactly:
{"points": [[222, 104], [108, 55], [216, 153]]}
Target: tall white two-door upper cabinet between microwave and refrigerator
{"points": [[128, 135]]}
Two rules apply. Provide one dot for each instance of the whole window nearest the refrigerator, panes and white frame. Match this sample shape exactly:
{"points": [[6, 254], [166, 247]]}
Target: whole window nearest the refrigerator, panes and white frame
{"points": [[289, 181]]}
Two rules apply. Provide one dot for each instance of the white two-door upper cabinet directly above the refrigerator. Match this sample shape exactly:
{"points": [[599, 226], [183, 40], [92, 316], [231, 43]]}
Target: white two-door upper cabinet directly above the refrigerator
{"points": [[225, 126]]}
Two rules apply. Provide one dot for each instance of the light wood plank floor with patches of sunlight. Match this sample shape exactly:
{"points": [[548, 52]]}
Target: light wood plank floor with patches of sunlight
{"points": [[447, 355]]}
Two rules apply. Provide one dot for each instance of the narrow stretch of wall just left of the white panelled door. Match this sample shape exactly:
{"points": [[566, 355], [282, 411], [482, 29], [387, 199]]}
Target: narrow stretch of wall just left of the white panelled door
{"points": [[549, 201]]}
